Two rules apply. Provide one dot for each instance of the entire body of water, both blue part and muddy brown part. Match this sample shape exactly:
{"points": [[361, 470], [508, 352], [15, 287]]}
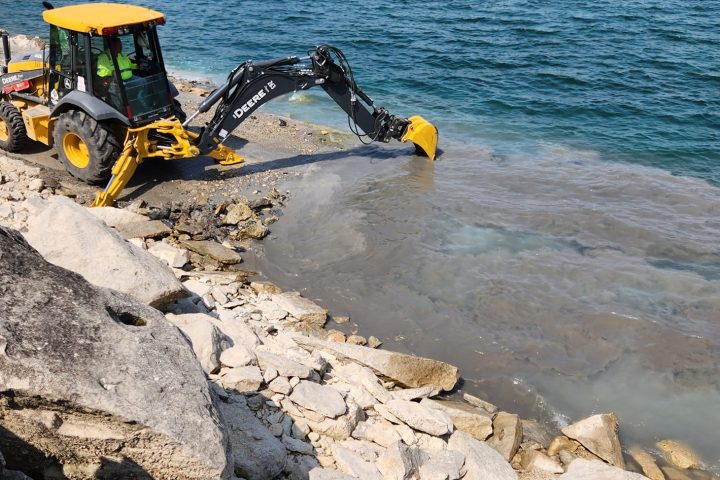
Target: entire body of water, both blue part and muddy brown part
{"points": [[563, 250]]}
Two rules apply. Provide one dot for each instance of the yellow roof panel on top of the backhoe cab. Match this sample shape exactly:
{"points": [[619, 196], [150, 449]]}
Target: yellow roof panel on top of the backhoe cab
{"points": [[99, 16]]}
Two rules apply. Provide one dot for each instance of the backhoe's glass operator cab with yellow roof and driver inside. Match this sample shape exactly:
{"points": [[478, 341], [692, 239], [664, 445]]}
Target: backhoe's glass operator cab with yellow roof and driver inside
{"points": [[110, 52]]}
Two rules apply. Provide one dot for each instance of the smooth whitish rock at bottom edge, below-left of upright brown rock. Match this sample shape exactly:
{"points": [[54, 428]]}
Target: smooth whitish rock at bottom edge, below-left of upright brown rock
{"points": [[481, 461]]}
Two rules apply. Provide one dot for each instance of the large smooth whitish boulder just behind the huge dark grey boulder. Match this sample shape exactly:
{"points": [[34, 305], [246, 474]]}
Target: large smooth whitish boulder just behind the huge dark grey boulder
{"points": [[71, 237]]}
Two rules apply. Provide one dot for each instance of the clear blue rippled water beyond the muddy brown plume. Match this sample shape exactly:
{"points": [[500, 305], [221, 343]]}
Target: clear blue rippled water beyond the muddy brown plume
{"points": [[637, 81]]}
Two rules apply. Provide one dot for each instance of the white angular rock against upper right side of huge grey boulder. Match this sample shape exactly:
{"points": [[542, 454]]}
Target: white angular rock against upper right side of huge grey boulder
{"points": [[206, 340]]}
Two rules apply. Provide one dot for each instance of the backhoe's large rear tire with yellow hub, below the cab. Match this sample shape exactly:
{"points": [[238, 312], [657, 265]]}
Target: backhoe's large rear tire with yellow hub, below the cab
{"points": [[86, 147]]}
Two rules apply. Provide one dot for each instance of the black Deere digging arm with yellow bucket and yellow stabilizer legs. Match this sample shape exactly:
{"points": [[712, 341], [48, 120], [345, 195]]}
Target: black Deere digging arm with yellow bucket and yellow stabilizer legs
{"points": [[249, 86]]}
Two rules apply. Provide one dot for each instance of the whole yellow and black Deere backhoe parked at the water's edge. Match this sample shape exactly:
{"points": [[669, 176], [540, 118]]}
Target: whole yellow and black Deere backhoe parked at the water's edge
{"points": [[105, 114]]}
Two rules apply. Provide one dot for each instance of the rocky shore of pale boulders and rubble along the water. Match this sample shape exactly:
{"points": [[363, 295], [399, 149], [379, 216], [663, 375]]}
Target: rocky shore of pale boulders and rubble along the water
{"points": [[134, 343]]}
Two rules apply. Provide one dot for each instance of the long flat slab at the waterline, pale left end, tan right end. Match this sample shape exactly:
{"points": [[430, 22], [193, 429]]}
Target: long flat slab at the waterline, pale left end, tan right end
{"points": [[407, 370]]}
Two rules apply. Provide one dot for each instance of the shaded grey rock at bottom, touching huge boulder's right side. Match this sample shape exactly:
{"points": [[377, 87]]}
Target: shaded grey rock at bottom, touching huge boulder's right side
{"points": [[257, 454]]}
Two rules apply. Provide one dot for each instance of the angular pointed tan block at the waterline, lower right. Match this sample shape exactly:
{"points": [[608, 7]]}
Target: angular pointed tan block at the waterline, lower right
{"points": [[598, 434]]}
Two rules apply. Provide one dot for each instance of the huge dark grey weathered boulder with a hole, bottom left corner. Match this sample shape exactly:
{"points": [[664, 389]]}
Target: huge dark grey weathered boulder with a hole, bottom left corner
{"points": [[97, 382]]}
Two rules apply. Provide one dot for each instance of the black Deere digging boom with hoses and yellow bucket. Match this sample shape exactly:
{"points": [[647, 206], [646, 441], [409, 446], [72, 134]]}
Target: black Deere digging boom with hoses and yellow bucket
{"points": [[250, 85]]}
